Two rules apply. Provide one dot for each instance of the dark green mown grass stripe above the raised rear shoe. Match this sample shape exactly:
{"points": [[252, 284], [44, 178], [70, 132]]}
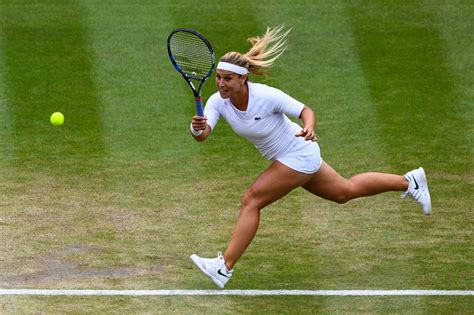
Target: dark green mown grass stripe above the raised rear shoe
{"points": [[405, 62]]}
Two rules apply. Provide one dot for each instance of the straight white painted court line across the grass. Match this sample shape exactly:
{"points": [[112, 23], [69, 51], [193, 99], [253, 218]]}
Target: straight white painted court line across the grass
{"points": [[238, 292]]}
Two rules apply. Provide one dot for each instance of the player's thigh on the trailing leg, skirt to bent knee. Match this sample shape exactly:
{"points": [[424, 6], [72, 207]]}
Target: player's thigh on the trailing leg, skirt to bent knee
{"points": [[327, 183]]}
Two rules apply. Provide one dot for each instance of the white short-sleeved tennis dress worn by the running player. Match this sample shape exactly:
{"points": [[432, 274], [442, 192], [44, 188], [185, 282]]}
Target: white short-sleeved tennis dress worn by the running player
{"points": [[266, 125]]}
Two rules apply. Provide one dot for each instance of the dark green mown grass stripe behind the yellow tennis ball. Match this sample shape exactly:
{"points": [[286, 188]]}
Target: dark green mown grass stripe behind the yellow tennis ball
{"points": [[48, 68]]}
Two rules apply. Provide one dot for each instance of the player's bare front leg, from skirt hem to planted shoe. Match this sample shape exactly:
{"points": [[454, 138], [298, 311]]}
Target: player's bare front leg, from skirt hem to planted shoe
{"points": [[277, 181]]}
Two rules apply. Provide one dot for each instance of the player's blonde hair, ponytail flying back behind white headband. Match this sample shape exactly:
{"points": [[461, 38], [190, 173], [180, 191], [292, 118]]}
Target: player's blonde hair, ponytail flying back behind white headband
{"points": [[263, 53]]}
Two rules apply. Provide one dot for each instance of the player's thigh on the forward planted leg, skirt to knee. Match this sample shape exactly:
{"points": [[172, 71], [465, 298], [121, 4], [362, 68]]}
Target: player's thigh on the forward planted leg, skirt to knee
{"points": [[274, 183]]}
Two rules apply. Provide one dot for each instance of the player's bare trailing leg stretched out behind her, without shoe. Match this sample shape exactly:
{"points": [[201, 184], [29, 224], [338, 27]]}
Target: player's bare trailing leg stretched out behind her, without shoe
{"points": [[328, 184]]}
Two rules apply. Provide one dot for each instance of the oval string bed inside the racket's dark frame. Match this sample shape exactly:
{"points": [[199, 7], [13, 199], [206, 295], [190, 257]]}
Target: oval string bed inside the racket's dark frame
{"points": [[191, 54]]}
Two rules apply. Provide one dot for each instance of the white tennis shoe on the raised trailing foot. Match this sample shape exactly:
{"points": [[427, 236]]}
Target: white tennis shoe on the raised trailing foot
{"points": [[418, 189]]}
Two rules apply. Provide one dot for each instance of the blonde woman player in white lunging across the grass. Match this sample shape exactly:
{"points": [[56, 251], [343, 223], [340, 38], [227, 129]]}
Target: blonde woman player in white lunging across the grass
{"points": [[259, 113]]}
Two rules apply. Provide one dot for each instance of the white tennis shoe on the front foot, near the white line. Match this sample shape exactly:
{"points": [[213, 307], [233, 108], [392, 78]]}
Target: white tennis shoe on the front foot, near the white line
{"points": [[214, 268]]}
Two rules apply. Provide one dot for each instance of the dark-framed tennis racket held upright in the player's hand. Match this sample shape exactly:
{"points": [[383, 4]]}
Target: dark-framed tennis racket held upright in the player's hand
{"points": [[192, 56]]}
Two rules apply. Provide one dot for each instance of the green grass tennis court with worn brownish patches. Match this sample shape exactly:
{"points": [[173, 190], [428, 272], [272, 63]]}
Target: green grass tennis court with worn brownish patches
{"points": [[121, 195]]}
